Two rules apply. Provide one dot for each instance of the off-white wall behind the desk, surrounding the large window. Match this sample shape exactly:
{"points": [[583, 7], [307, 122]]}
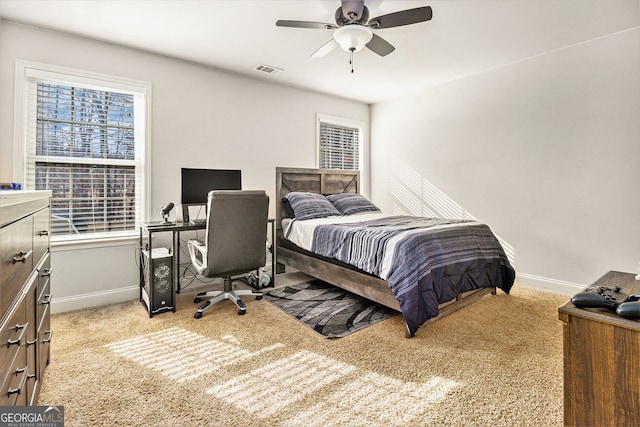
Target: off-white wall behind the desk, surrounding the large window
{"points": [[201, 117]]}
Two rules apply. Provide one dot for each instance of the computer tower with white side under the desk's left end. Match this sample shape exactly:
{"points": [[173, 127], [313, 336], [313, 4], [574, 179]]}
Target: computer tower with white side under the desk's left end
{"points": [[158, 291]]}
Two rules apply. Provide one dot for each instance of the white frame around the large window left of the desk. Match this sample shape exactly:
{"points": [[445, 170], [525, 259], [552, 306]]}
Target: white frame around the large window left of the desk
{"points": [[27, 70]]}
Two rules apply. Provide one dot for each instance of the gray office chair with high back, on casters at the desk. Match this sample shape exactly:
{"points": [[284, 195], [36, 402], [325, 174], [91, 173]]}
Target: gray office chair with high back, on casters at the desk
{"points": [[235, 243]]}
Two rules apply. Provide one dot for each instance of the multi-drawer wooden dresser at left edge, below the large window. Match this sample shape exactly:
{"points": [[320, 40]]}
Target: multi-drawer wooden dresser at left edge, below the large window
{"points": [[25, 333]]}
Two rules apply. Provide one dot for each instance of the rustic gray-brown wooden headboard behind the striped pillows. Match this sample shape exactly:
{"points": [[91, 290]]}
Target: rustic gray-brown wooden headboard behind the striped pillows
{"points": [[323, 181]]}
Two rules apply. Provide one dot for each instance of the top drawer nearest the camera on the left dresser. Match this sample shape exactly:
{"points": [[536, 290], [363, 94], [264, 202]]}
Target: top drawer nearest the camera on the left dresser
{"points": [[16, 259]]}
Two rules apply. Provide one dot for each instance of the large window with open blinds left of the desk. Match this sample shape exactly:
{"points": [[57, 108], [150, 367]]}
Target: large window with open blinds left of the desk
{"points": [[84, 140]]}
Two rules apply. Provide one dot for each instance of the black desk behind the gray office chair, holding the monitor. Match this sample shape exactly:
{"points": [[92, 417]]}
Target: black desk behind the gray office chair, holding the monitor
{"points": [[148, 229]]}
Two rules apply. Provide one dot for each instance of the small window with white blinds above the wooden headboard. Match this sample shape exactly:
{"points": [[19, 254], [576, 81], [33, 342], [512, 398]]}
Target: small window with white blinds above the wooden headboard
{"points": [[339, 144]]}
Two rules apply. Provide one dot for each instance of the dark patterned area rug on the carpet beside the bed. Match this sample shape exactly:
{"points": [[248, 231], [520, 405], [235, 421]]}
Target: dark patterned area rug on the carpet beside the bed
{"points": [[328, 310]]}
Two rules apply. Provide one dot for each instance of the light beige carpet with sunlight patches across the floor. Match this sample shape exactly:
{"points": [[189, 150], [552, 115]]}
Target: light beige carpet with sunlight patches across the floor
{"points": [[496, 362]]}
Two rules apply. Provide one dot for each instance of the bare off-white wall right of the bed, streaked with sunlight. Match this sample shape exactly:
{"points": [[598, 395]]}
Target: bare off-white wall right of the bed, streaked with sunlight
{"points": [[545, 151]]}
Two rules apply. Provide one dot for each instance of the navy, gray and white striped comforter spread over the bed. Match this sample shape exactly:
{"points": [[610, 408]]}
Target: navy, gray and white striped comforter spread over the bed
{"points": [[426, 261]]}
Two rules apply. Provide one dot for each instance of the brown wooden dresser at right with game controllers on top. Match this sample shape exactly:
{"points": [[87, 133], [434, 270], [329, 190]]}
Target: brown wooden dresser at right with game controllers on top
{"points": [[602, 362]]}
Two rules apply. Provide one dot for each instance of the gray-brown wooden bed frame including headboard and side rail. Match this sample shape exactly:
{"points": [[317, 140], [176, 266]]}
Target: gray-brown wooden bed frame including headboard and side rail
{"points": [[330, 181]]}
